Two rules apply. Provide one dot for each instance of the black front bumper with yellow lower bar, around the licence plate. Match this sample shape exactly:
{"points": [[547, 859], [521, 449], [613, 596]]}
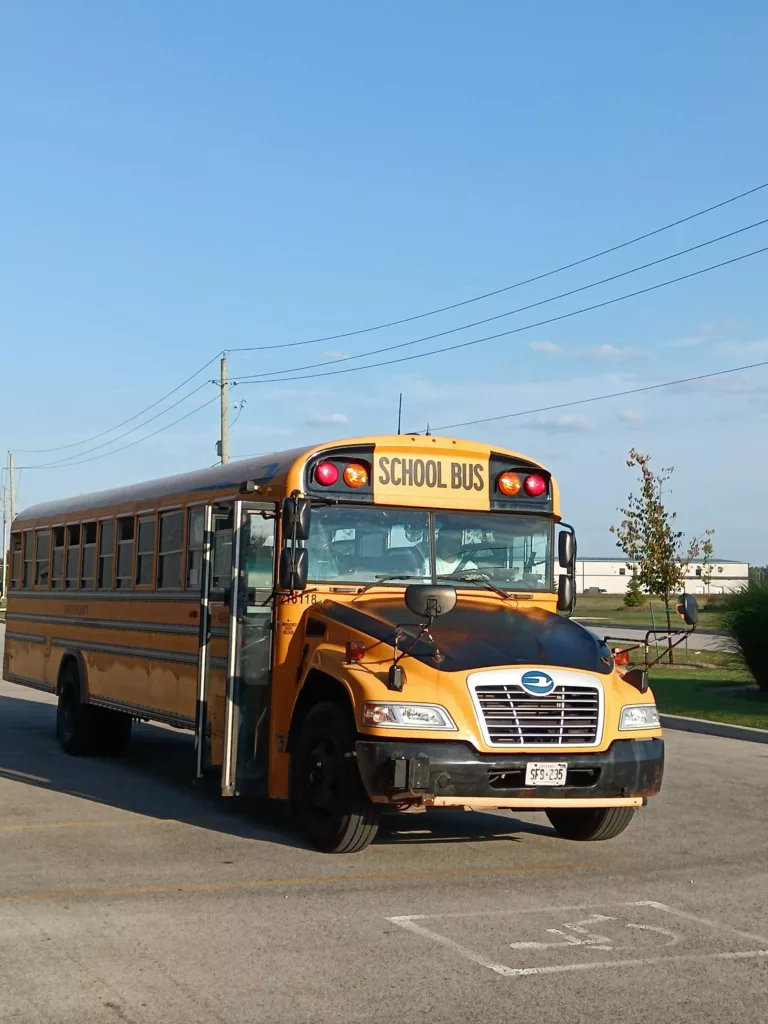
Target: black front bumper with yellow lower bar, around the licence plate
{"points": [[447, 774]]}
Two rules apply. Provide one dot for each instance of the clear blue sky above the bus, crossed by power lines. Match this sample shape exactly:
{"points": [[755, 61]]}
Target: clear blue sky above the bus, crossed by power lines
{"points": [[183, 178]]}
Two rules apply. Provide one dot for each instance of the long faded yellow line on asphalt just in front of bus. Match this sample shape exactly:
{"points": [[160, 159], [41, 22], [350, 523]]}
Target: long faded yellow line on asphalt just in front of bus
{"points": [[313, 881]]}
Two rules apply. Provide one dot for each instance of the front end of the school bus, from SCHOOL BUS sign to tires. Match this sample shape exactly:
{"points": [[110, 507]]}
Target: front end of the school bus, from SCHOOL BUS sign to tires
{"points": [[431, 664]]}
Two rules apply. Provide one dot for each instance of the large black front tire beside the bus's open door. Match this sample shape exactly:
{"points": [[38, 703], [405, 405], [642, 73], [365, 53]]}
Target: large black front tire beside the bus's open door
{"points": [[328, 797]]}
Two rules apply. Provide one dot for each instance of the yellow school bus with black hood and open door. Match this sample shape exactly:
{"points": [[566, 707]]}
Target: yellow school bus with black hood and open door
{"points": [[376, 623]]}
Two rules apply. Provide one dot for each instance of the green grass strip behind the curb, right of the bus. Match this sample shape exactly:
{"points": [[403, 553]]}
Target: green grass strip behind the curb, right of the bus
{"points": [[708, 694]]}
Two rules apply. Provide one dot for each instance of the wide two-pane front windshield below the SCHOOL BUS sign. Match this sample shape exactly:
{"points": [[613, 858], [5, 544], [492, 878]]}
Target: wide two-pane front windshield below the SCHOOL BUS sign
{"points": [[361, 545]]}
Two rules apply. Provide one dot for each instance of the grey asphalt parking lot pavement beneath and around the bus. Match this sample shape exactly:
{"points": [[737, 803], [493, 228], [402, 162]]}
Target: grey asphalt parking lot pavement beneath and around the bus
{"points": [[129, 893]]}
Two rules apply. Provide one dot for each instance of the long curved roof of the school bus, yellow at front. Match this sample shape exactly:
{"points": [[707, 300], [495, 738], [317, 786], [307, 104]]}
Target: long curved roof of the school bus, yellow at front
{"points": [[271, 471]]}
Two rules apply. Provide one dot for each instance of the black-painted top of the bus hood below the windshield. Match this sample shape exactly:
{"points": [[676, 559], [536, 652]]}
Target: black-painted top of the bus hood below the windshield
{"points": [[481, 635]]}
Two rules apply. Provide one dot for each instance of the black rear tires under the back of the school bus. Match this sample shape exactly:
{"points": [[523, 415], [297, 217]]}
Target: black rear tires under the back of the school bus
{"points": [[84, 730]]}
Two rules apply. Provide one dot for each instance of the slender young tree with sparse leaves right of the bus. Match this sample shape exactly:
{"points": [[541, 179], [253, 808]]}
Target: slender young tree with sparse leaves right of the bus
{"points": [[649, 539]]}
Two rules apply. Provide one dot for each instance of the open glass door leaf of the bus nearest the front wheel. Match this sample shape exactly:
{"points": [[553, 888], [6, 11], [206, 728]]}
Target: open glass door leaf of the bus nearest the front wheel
{"points": [[249, 650]]}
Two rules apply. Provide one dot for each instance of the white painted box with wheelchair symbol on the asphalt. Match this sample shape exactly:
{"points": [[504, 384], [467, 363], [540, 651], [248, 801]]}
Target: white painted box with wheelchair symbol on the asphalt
{"points": [[579, 935]]}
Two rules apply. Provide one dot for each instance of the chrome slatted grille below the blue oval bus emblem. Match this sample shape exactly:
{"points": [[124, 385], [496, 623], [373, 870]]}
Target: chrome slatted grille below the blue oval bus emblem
{"points": [[571, 715]]}
